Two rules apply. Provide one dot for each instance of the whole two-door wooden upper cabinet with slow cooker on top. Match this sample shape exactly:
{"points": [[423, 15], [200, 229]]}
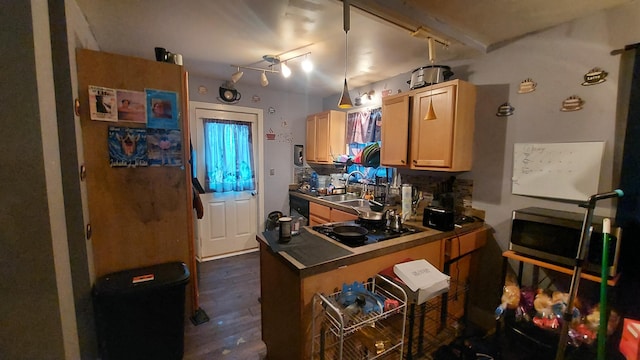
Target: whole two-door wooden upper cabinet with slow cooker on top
{"points": [[444, 143]]}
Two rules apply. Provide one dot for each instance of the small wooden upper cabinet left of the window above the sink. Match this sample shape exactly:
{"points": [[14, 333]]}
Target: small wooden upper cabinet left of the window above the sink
{"points": [[325, 136]]}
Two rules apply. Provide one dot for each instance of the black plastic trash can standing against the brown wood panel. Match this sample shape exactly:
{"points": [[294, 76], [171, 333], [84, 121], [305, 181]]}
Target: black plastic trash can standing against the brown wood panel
{"points": [[140, 313]]}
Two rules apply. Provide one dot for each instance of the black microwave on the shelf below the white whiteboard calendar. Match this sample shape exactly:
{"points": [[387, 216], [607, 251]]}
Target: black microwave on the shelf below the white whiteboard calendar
{"points": [[554, 236]]}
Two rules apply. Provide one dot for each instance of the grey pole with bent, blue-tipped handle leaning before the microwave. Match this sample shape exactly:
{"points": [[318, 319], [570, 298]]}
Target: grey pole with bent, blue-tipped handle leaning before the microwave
{"points": [[583, 247]]}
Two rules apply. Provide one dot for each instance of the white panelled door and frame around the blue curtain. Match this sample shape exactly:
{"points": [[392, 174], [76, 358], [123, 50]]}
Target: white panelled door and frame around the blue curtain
{"points": [[230, 220]]}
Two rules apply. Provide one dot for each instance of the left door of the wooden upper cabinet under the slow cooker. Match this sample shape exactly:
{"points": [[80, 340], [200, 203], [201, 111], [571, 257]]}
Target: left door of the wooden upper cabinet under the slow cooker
{"points": [[395, 130]]}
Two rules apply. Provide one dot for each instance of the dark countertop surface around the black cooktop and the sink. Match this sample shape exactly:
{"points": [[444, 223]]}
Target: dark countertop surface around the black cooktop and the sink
{"points": [[332, 254]]}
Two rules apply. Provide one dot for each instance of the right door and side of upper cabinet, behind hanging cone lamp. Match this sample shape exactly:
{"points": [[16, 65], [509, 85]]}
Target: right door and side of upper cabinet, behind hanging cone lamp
{"points": [[443, 141]]}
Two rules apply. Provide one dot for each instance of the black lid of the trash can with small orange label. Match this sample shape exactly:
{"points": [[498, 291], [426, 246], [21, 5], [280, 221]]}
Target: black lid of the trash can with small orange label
{"points": [[145, 278]]}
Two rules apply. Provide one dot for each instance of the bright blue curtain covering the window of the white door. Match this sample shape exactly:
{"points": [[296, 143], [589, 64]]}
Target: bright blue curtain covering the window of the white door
{"points": [[228, 156]]}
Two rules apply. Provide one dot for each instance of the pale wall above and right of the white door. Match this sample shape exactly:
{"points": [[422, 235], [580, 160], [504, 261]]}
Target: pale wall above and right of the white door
{"points": [[287, 122]]}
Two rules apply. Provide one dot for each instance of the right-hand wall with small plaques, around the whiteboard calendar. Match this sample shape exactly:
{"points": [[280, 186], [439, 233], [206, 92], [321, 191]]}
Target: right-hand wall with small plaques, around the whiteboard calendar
{"points": [[557, 60]]}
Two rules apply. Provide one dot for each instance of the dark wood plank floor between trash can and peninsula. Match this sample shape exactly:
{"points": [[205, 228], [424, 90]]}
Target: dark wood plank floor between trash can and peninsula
{"points": [[229, 293]]}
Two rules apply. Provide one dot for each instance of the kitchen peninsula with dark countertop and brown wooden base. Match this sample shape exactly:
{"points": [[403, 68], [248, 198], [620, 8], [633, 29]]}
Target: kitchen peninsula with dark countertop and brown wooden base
{"points": [[290, 276]]}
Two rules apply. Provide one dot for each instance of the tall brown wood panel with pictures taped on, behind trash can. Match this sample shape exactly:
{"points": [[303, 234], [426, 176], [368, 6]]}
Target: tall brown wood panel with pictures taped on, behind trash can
{"points": [[139, 216]]}
